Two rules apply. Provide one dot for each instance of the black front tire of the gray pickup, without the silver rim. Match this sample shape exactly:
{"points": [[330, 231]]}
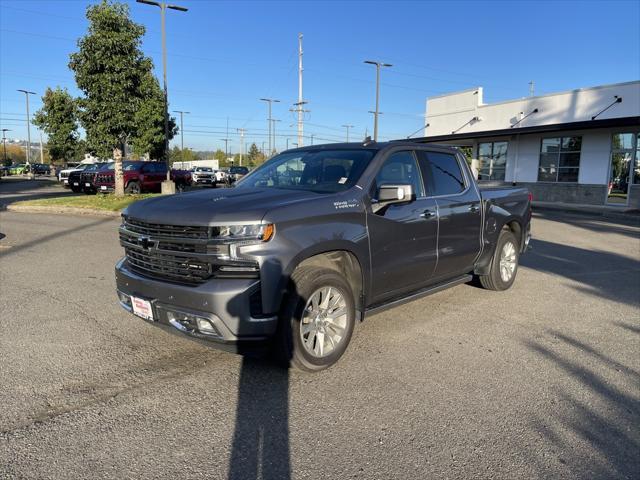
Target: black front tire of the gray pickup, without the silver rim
{"points": [[290, 350]]}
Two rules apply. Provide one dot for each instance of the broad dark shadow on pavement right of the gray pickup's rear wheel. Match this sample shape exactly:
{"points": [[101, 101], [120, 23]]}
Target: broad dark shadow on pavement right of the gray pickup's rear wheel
{"points": [[601, 273]]}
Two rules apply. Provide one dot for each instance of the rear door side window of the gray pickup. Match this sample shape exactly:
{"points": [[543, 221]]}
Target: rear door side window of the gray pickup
{"points": [[442, 173]]}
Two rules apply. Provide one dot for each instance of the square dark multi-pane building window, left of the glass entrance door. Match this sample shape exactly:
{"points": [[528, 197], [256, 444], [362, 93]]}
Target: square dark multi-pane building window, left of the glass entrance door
{"points": [[560, 159]]}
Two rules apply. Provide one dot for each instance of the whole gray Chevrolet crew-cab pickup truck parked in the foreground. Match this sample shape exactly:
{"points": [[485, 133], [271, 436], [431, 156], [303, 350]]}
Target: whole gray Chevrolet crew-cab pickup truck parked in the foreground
{"points": [[313, 241]]}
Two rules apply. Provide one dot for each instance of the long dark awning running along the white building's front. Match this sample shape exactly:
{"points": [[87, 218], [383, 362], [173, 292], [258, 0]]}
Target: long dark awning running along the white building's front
{"points": [[589, 124]]}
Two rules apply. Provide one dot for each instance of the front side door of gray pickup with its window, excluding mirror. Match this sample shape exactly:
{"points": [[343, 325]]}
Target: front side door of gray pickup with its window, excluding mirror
{"points": [[403, 236]]}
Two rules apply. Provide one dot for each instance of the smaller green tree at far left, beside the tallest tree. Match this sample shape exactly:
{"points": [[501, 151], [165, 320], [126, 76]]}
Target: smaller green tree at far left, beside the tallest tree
{"points": [[58, 118]]}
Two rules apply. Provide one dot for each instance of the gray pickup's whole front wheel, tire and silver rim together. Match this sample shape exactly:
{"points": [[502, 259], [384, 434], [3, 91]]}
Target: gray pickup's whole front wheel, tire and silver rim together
{"points": [[316, 320]]}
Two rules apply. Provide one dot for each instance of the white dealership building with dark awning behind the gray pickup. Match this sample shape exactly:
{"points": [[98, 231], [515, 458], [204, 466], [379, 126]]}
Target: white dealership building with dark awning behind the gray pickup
{"points": [[579, 146]]}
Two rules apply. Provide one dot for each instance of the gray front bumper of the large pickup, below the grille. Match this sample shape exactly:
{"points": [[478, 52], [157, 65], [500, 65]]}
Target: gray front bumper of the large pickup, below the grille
{"points": [[225, 303]]}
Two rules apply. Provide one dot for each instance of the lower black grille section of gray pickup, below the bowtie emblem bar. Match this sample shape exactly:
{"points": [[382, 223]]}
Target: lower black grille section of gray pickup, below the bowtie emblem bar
{"points": [[176, 268]]}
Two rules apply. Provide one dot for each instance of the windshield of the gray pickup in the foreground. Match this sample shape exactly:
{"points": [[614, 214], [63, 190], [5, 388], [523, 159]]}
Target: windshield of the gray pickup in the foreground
{"points": [[322, 171]]}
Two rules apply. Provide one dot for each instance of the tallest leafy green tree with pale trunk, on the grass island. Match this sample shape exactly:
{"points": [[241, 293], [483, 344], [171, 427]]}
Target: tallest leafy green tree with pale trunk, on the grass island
{"points": [[114, 76]]}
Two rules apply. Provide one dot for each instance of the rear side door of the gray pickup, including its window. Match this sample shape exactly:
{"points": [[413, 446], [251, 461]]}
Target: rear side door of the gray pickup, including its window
{"points": [[459, 211]]}
